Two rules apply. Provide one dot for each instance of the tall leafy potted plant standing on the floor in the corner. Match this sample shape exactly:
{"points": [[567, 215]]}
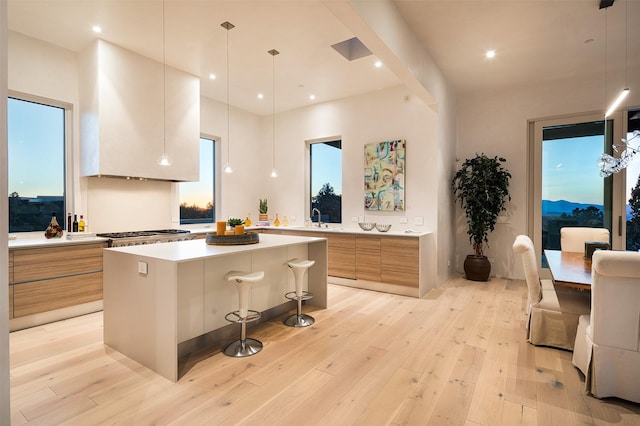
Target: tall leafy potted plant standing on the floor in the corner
{"points": [[482, 186]]}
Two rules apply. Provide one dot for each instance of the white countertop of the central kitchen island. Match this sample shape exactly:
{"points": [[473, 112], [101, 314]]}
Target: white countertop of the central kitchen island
{"points": [[182, 251]]}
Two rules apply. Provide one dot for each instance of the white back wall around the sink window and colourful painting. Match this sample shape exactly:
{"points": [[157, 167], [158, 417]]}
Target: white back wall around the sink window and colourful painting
{"points": [[357, 121]]}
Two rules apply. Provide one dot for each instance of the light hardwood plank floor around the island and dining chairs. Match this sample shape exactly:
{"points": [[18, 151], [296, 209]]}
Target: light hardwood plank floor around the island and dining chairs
{"points": [[456, 357]]}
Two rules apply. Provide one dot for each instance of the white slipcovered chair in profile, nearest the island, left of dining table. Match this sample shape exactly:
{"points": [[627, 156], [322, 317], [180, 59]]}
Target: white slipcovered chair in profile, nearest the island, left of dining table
{"points": [[552, 315]]}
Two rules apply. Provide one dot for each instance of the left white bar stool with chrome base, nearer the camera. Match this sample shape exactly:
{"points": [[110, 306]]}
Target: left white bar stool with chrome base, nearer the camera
{"points": [[243, 347]]}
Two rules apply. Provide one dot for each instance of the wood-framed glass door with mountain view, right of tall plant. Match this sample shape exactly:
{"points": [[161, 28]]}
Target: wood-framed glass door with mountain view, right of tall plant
{"points": [[567, 187]]}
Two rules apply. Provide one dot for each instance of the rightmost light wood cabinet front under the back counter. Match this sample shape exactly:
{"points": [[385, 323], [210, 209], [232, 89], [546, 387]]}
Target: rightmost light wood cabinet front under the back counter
{"points": [[400, 261]]}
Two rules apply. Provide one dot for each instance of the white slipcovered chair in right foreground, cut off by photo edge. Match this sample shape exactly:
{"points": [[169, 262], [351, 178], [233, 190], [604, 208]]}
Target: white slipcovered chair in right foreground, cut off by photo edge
{"points": [[607, 347]]}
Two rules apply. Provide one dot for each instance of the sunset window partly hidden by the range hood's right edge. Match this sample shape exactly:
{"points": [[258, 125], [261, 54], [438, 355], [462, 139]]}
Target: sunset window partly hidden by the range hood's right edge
{"points": [[197, 199]]}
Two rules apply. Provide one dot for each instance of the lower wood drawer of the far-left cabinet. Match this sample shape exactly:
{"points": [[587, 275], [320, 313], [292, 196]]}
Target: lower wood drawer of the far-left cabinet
{"points": [[46, 295]]}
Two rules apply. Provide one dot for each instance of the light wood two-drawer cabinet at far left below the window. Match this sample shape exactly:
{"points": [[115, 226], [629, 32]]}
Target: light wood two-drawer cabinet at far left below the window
{"points": [[46, 279]]}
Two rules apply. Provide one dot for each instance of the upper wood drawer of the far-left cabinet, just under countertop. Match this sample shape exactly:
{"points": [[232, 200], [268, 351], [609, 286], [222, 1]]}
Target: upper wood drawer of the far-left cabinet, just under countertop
{"points": [[44, 263]]}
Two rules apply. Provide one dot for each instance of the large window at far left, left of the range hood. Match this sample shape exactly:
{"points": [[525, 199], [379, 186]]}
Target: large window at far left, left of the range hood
{"points": [[36, 168]]}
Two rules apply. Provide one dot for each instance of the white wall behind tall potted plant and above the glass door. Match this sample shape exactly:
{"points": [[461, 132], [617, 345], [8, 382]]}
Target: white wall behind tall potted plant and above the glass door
{"points": [[495, 122]]}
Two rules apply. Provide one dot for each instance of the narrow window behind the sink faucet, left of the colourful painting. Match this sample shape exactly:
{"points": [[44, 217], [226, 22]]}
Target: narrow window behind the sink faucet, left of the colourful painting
{"points": [[326, 181]]}
